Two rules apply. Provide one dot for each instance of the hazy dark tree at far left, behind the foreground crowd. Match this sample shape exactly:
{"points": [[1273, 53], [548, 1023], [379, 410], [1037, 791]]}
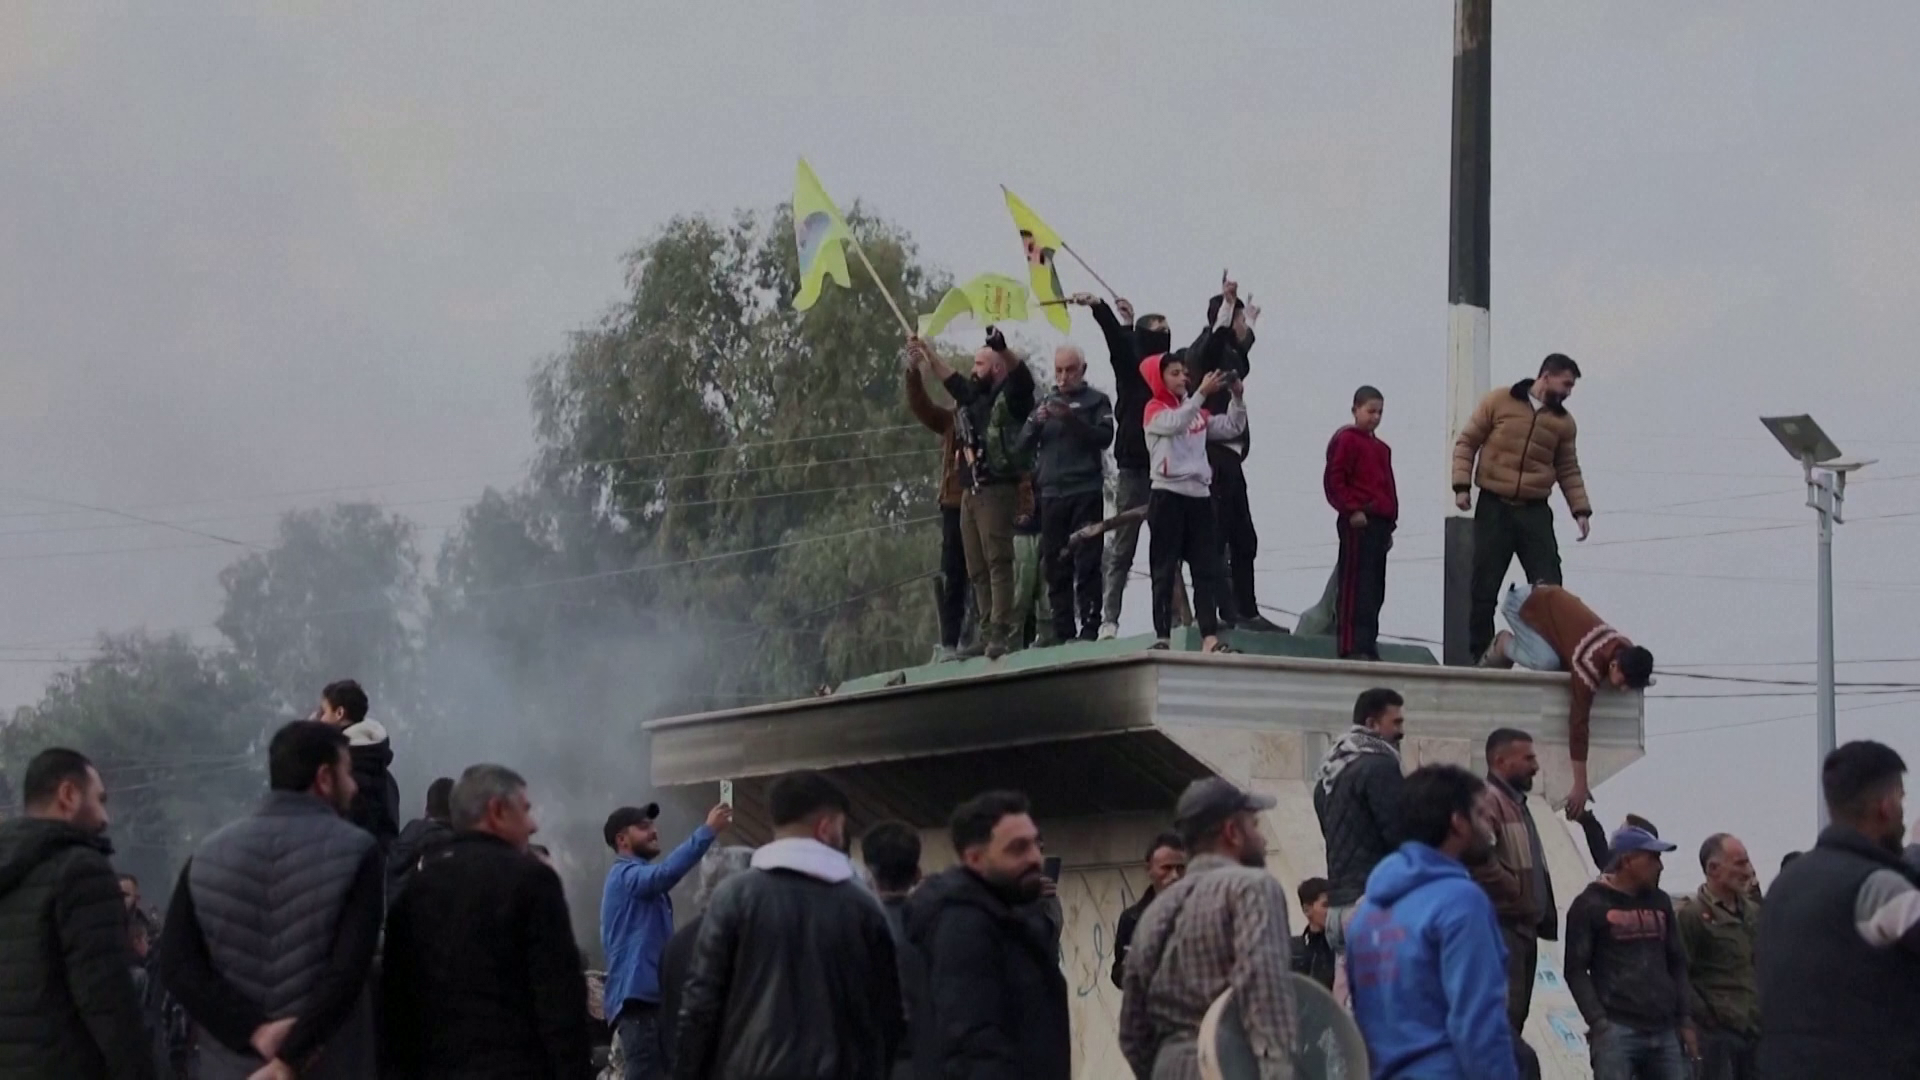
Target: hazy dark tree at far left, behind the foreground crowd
{"points": [[178, 733]]}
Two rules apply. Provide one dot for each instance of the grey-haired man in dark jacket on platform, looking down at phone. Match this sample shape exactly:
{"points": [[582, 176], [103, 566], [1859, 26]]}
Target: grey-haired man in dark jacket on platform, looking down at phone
{"points": [[1070, 431]]}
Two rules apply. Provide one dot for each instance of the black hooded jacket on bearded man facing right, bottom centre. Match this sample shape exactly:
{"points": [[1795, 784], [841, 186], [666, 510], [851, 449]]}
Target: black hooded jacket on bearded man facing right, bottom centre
{"points": [[999, 1004]]}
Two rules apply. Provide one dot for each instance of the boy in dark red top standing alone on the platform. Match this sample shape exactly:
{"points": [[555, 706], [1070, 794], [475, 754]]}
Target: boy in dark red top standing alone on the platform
{"points": [[1360, 485]]}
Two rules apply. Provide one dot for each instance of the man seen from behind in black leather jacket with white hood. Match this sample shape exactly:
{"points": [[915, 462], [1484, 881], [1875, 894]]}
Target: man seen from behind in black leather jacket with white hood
{"points": [[794, 973]]}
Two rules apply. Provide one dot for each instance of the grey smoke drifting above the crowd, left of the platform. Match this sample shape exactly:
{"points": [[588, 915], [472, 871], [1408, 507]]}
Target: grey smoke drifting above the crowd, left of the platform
{"points": [[569, 720]]}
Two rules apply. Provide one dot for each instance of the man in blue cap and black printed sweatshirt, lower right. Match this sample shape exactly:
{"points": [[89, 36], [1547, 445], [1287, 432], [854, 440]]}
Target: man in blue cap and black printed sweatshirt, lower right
{"points": [[1627, 968]]}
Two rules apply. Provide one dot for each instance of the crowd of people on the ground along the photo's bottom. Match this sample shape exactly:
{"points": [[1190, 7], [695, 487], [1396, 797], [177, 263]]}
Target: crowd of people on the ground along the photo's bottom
{"points": [[318, 939]]}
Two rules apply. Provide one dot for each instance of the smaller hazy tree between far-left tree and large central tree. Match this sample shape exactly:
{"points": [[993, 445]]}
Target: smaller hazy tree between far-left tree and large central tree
{"points": [[329, 601]]}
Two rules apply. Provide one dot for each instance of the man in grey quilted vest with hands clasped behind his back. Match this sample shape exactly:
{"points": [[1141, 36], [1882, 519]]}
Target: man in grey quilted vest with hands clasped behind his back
{"points": [[274, 925]]}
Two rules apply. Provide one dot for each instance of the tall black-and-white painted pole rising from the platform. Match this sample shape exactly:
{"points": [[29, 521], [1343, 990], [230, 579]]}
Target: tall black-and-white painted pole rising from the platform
{"points": [[1470, 368]]}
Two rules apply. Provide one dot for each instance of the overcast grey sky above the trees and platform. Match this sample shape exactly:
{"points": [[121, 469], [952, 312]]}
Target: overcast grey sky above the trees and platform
{"points": [[270, 249]]}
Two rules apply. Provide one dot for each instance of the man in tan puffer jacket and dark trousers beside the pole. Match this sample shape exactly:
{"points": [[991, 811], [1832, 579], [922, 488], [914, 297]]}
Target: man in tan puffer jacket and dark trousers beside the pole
{"points": [[1516, 447]]}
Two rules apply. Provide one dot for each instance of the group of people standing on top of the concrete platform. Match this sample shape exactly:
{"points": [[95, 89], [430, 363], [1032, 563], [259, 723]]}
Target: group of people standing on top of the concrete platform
{"points": [[1024, 493]]}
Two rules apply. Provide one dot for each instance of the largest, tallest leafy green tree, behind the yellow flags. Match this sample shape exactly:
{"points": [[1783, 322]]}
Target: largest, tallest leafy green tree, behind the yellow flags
{"points": [[744, 470]]}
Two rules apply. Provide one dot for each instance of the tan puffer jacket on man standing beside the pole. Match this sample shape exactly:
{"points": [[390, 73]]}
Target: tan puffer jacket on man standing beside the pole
{"points": [[1522, 451]]}
